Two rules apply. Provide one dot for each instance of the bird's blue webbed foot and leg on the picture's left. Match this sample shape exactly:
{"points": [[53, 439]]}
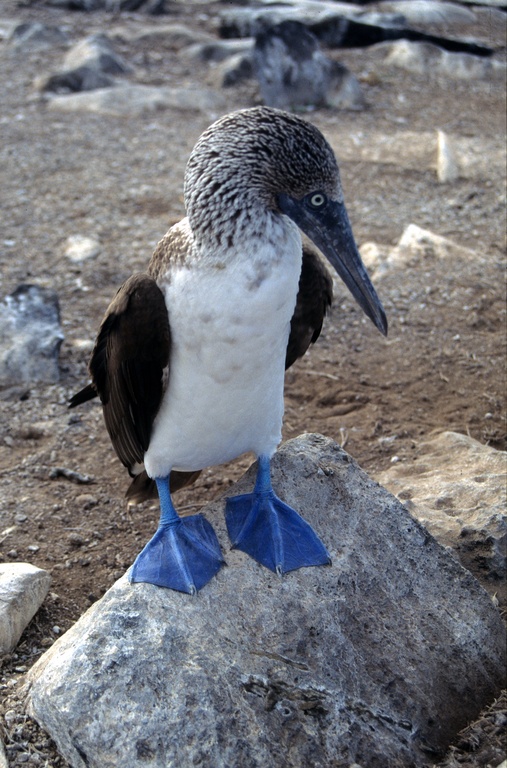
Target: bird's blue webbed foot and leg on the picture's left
{"points": [[184, 554]]}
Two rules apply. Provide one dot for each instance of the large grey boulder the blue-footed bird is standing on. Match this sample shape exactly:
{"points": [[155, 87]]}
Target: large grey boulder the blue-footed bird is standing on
{"points": [[377, 659]]}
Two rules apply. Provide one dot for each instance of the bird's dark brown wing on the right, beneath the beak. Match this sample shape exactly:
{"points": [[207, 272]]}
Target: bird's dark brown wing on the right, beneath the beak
{"points": [[315, 294]]}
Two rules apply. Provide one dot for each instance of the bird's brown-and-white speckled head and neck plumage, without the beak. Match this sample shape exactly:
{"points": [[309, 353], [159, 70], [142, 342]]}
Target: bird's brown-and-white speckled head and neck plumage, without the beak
{"points": [[244, 160]]}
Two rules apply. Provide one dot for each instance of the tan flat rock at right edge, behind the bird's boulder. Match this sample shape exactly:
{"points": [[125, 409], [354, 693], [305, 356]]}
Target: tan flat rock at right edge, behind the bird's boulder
{"points": [[457, 488]]}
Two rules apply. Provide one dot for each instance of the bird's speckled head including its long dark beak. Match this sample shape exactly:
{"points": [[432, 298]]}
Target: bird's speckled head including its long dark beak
{"points": [[263, 159]]}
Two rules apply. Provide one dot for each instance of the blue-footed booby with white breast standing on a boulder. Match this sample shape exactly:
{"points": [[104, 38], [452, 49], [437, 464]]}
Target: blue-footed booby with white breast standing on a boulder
{"points": [[190, 357]]}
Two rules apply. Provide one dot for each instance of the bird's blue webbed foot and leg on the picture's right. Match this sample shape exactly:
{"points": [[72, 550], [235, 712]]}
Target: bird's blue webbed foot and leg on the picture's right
{"points": [[270, 531]]}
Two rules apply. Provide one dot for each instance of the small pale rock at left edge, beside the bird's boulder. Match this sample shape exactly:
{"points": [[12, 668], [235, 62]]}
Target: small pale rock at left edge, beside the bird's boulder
{"points": [[23, 588]]}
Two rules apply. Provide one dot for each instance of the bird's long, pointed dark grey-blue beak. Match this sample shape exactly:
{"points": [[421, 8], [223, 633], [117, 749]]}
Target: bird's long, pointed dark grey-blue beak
{"points": [[329, 228]]}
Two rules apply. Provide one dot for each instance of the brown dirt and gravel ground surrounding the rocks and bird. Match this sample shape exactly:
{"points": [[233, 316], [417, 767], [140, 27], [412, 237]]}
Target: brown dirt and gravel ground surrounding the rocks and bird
{"points": [[120, 180]]}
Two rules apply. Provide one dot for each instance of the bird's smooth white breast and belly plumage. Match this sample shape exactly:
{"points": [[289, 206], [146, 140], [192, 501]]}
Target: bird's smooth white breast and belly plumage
{"points": [[230, 323]]}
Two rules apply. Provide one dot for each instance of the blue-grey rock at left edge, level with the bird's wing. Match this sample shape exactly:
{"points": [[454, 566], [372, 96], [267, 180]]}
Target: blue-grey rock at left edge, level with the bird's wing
{"points": [[30, 336]]}
